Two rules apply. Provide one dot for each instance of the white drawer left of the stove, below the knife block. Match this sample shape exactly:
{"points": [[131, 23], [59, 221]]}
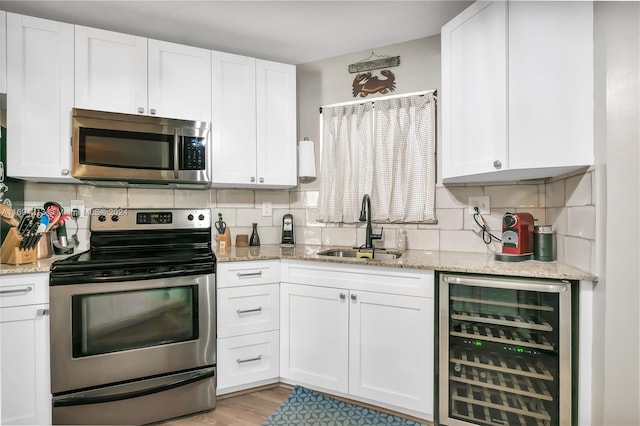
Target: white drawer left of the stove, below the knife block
{"points": [[24, 289]]}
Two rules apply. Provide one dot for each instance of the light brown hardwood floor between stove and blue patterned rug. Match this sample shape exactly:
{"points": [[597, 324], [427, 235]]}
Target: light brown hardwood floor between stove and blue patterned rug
{"points": [[239, 410]]}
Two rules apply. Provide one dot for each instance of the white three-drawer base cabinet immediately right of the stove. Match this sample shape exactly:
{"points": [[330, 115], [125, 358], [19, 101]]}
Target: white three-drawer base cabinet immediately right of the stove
{"points": [[248, 322]]}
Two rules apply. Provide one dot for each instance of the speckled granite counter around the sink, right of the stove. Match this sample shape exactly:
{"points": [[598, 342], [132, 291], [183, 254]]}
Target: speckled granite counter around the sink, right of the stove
{"points": [[417, 259]]}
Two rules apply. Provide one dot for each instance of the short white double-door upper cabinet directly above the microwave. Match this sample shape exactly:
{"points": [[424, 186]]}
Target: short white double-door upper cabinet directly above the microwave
{"points": [[129, 74]]}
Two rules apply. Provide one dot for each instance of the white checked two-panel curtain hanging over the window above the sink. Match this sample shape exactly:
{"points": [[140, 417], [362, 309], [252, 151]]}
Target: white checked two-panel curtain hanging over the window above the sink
{"points": [[386, 151]]}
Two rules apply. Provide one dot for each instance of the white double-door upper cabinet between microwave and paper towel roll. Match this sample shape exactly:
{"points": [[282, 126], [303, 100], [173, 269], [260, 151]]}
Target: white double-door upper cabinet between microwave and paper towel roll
{"points": [[254, 122]]}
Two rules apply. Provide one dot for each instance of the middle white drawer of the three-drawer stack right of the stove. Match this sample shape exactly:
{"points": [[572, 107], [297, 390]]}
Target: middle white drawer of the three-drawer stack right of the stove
{"points": [[251, 309]]}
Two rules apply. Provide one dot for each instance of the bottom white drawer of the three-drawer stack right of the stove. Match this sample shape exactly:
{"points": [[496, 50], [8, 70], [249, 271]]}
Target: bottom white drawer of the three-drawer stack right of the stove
{"points": [[247, 359]]}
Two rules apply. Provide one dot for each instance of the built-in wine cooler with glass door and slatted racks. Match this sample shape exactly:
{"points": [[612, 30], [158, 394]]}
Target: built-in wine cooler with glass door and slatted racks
{"points": [[505, 351]]}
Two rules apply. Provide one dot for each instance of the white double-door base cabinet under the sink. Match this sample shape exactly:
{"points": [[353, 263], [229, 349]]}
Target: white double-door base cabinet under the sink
{"points": [[363, 332]]}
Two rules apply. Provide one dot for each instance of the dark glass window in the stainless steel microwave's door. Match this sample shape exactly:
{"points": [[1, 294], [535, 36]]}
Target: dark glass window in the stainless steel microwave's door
{"points": [[118, 148]]}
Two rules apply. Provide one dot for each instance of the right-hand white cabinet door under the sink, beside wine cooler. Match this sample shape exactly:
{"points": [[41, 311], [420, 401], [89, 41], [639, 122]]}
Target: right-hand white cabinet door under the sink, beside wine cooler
{"points": [[391, 349]]}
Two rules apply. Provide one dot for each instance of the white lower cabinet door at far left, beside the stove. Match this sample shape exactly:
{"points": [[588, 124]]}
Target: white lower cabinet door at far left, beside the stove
{"points": [[26, 393]]}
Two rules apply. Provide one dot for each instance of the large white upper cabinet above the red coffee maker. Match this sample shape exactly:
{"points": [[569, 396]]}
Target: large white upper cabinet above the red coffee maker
{"points": [[517, 91]]}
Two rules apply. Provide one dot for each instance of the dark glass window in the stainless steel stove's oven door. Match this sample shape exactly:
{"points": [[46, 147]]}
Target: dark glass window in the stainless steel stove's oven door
{"points": [[119, 321]]}
